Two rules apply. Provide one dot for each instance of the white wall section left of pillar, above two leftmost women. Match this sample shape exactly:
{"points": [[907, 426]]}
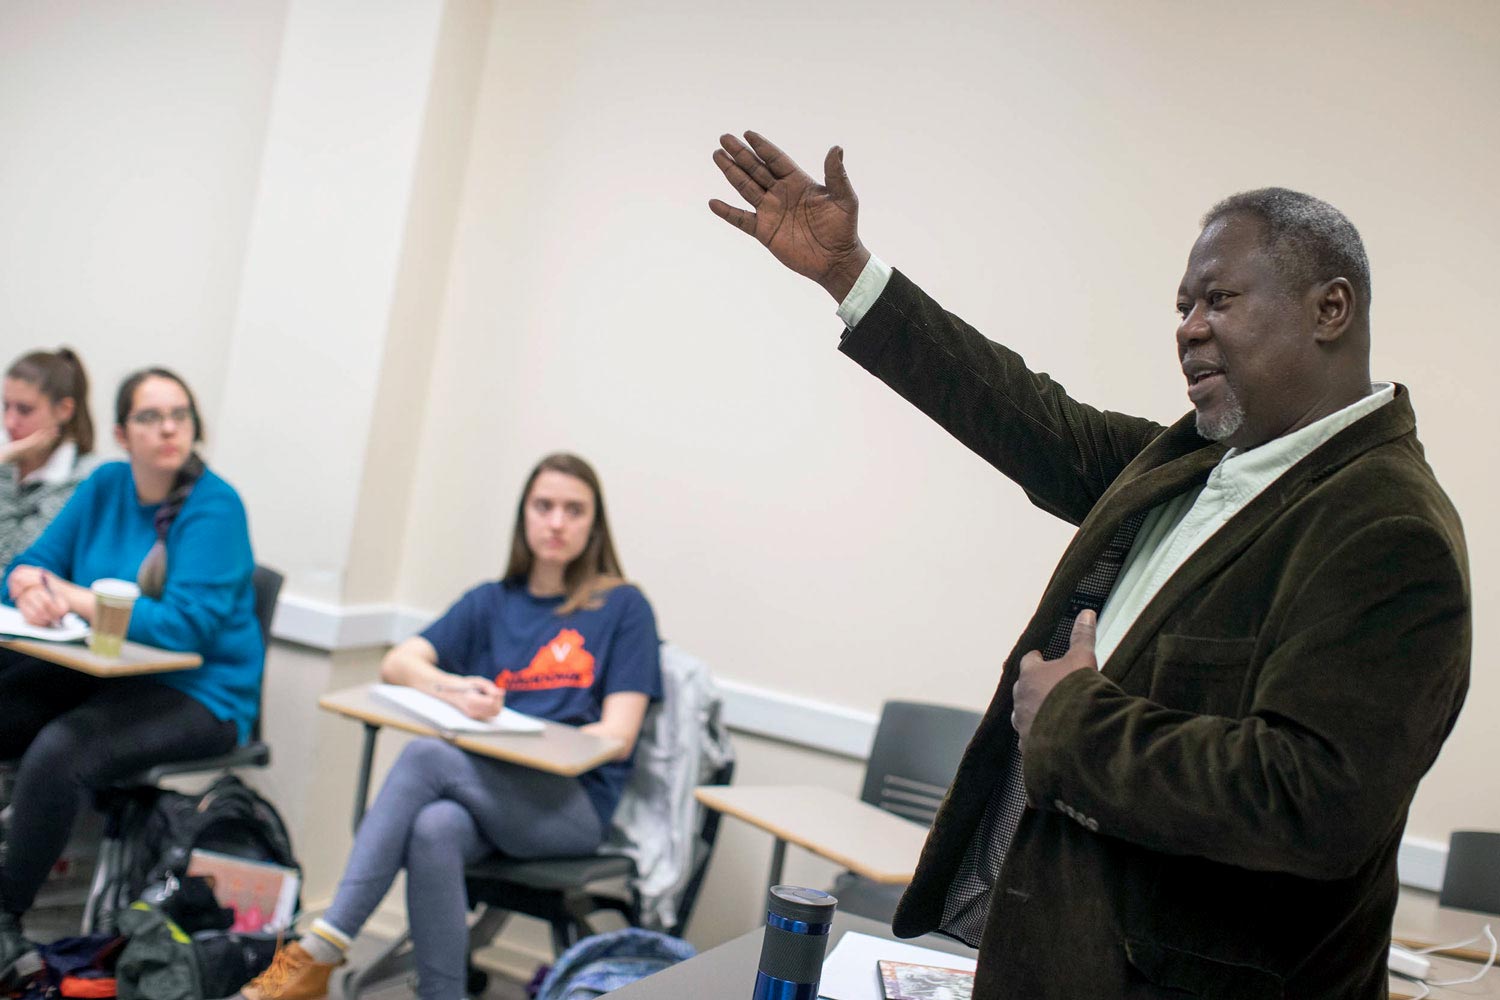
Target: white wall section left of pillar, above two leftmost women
{"points": [[130, 169]]}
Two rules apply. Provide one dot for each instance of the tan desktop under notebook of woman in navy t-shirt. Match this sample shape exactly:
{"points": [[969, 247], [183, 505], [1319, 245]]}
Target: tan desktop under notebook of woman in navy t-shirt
{"points": [[557, 749]]}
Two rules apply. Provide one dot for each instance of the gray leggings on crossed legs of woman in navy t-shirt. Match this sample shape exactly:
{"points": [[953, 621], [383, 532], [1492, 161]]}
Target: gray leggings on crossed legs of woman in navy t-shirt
{"points": [[440, 810]]}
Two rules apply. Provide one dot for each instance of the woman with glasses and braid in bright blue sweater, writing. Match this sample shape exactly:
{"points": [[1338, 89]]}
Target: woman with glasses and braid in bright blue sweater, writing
{"points": [[167, 522]]}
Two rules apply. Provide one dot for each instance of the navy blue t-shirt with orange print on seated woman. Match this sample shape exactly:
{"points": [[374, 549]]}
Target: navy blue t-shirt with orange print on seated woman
{"points": [[556, 666]]}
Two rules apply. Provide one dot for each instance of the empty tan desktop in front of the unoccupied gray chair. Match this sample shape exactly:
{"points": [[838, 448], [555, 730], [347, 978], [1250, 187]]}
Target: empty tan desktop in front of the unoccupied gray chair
{"points": [[869, 842]]}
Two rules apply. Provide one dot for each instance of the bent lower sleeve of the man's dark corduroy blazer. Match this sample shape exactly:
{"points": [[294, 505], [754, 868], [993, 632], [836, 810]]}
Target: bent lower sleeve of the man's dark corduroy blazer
{"points": [[1349, 710]]}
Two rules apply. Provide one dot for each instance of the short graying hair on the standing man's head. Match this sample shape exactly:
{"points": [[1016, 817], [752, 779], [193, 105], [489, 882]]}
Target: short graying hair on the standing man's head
{"points": [[1309, 239]]}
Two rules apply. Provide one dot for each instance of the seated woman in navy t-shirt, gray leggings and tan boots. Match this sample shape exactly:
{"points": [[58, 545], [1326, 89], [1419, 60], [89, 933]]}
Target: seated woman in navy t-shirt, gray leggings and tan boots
{"points": [[563, 638]]}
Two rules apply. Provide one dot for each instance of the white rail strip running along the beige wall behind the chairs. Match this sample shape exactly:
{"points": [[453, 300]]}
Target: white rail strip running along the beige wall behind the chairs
{"points": [[791, 719]]}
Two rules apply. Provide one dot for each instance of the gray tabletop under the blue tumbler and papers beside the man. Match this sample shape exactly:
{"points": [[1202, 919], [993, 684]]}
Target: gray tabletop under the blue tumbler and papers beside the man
{"points": [[730, 969]]}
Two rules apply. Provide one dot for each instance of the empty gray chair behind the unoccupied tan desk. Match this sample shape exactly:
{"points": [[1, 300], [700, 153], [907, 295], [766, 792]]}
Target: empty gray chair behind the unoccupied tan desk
{"points": [[913, 762]]}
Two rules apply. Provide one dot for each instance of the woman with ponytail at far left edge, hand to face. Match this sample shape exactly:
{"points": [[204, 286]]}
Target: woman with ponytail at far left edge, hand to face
{"points": [[50, 443]]}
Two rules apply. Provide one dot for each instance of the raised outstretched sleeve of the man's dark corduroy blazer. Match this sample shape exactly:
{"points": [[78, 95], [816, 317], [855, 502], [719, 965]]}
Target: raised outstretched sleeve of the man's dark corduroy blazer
{"points": [[1061, 452]]}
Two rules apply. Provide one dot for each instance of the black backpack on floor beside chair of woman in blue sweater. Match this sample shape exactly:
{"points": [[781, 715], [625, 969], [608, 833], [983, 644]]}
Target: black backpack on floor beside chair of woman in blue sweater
{"points": [[163, 828]]}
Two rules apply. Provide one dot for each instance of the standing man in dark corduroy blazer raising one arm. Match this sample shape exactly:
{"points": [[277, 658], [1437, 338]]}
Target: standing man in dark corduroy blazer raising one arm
{"points": [[1195, 774]]}
